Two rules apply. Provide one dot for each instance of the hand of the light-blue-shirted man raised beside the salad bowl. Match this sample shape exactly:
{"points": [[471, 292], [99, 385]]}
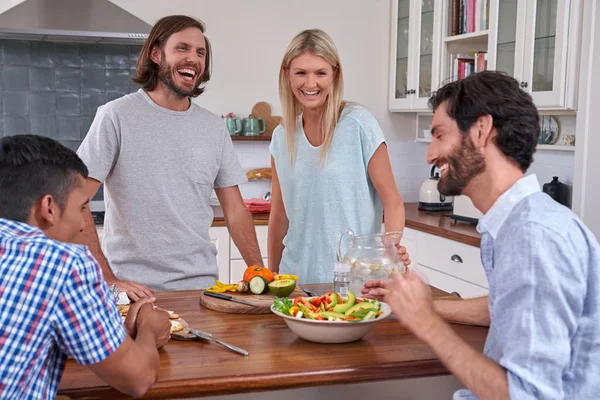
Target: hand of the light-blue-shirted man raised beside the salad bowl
{"points": [[411, 301]]}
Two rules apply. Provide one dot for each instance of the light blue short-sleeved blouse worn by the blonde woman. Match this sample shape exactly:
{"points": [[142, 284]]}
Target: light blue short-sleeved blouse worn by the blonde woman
{"points": [[323, 201]]}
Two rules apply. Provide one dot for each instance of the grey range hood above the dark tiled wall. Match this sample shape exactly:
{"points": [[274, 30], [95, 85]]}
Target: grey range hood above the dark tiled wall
{"points": [[87, 21]]}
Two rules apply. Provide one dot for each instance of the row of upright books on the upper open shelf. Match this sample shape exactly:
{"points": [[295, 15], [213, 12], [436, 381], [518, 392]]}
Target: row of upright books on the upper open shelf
{"points": [[469, 16]]}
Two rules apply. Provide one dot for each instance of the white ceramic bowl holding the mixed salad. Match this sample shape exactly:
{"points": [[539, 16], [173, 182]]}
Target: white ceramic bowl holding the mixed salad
{"points": [[331, 331]]}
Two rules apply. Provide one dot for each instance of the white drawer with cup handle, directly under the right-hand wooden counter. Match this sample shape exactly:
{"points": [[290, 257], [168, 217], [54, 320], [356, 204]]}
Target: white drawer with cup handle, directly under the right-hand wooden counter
{"points": [[452, 258]]}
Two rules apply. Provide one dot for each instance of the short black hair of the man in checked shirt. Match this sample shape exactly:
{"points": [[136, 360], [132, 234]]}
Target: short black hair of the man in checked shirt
{"points": [[31, 167]]}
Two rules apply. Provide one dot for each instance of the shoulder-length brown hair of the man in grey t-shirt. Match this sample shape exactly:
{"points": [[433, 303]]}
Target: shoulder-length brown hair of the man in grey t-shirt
{"points": [[146, 70]]}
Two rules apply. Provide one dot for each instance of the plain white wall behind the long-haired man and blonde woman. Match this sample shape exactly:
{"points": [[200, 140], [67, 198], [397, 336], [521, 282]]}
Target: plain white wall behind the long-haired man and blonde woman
{"points": [[249, 39]]}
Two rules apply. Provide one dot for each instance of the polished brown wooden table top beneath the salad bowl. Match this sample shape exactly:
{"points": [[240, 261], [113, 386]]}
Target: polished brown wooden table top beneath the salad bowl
{"points": [[278, 358]]}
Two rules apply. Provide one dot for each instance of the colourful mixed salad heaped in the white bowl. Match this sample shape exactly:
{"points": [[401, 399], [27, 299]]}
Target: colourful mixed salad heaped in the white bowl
{"points": [[329, 307]]}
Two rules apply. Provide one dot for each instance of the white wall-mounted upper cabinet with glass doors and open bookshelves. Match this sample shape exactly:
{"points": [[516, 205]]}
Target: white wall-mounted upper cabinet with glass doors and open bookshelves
{"points": [[535, 41]]}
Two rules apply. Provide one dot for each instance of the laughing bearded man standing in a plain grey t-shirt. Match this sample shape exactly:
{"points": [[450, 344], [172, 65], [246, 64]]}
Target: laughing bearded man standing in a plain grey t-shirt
{"points": [[160, 156]]}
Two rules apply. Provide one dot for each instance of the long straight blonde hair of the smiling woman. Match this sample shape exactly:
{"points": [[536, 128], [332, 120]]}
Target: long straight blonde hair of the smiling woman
{"points": [[319, 44]]}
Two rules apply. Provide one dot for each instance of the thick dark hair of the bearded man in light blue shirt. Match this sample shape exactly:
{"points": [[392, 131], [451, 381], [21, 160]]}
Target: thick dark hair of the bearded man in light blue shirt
{"points": [[496, 94]]}
